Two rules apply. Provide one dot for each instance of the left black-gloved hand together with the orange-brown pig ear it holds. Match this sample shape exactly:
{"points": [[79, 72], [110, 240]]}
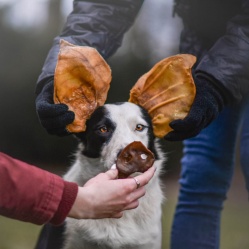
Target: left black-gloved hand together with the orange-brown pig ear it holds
{"points": [[80, 84]]}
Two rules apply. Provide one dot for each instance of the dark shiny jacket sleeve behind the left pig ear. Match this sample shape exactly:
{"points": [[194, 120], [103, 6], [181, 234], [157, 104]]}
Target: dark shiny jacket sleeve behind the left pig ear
{"points": [[96, 23]]}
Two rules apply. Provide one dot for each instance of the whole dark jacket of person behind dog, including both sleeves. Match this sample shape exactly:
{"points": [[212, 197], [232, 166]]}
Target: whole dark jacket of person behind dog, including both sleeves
{"points": [[216, 31]]}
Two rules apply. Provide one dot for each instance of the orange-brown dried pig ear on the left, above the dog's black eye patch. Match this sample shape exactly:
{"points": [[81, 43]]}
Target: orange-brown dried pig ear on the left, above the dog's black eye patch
{"points": [[82, 80]]}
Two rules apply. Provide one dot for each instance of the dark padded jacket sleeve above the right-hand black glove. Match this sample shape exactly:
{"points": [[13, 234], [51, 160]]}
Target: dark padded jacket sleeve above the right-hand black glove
{"points": [[228, 60]]}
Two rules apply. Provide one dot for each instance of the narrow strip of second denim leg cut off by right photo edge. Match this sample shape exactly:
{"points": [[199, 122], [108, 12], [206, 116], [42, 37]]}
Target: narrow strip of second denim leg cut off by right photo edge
{"points": [[244, 146]]}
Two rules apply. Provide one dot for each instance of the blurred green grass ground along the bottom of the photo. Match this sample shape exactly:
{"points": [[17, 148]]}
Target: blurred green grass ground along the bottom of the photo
{"points": [[235, 221]]}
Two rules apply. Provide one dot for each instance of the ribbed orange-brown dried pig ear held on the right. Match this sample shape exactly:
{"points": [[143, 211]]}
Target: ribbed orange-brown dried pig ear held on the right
{"points": [[167, 91]]}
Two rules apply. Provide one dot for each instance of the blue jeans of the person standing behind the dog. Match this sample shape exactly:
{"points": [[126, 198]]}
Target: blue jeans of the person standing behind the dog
{"points": [[207, 169]]}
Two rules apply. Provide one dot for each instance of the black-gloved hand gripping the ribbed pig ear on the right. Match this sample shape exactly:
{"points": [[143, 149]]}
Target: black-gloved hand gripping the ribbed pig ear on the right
{"points": [[207, 104]]}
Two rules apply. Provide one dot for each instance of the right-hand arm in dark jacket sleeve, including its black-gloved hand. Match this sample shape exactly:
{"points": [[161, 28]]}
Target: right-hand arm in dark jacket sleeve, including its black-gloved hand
{"points": [[221, 78]]}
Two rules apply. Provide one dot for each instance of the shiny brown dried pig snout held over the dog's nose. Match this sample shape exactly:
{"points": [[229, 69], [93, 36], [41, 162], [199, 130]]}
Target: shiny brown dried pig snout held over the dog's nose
{"points": [[135, 157]]}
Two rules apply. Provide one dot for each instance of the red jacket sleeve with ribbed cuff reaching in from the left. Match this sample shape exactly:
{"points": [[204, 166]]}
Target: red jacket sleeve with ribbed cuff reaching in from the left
{"points": [[30, 194]]}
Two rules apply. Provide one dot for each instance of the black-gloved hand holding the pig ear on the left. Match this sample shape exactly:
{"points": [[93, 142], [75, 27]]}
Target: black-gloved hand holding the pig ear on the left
{"points": [[53, 117]]}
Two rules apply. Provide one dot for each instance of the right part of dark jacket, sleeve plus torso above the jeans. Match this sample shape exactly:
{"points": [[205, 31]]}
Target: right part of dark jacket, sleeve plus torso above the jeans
{"points": [[217, 32]]}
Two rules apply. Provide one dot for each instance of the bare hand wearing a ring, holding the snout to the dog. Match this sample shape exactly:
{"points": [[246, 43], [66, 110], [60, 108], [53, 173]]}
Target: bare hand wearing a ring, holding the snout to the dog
{"points": [[105, 196]]}
